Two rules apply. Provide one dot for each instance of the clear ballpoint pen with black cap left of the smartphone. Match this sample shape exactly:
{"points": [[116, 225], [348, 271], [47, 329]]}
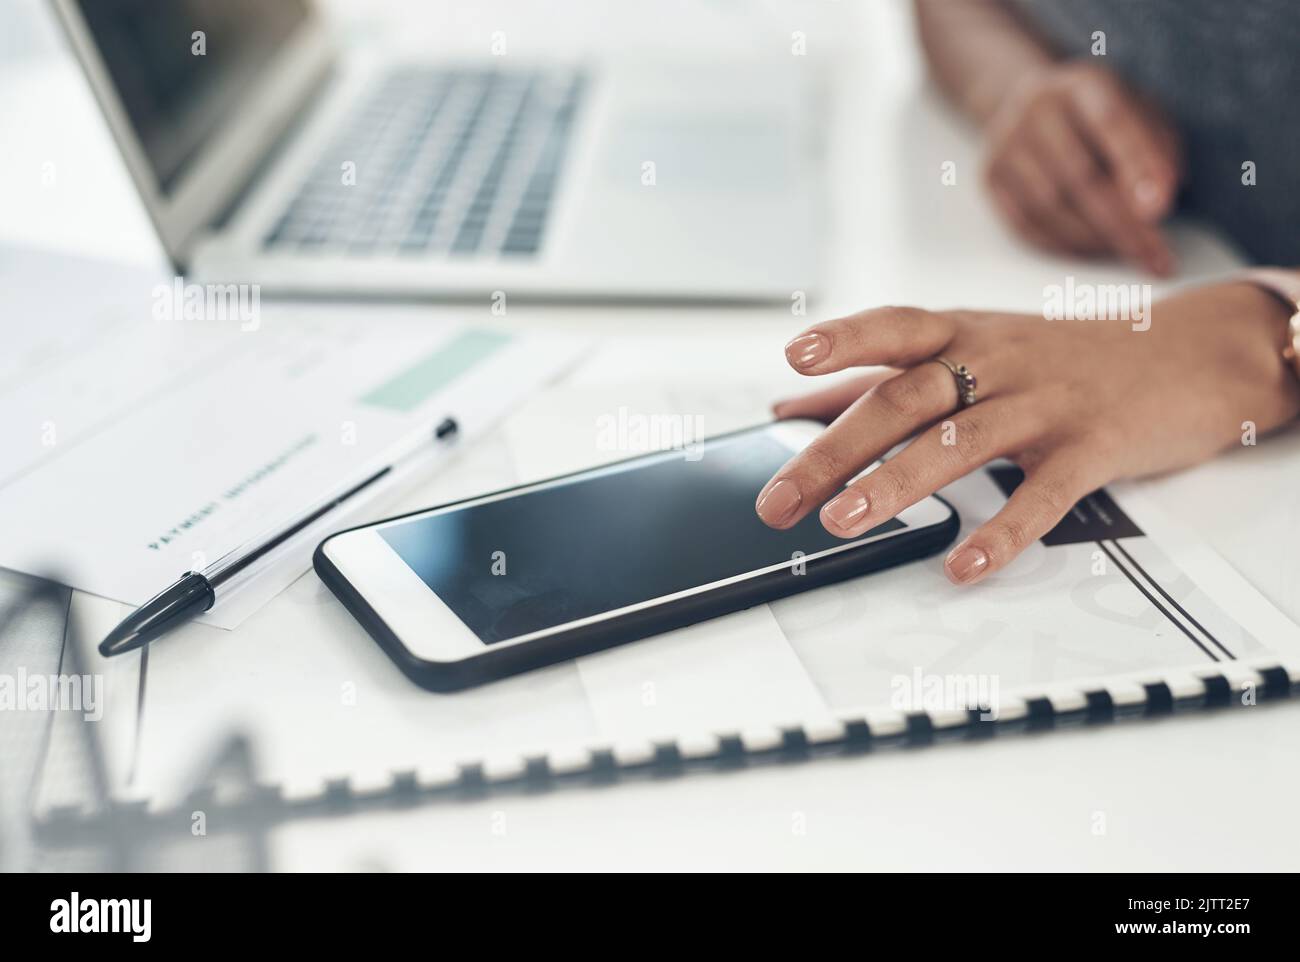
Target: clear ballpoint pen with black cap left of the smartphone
{"points": [[197, 592]]}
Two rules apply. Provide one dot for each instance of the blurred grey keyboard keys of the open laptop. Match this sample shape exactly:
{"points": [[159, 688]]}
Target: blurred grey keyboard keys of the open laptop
{"points": [[460, 163]]}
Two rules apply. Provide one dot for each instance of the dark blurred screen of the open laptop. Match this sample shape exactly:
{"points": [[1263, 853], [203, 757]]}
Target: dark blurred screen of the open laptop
{"points": [[181, 67]]}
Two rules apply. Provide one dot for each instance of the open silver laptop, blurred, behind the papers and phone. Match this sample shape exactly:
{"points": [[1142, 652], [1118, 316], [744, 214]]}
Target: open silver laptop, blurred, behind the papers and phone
{"points": [[266, 158]]}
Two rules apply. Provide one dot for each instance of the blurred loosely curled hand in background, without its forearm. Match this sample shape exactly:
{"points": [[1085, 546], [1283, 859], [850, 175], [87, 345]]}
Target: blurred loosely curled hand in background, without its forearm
{"points": [[1082, 166]]}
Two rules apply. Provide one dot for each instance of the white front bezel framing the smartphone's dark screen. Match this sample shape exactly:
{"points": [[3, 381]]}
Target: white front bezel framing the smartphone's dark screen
{"points": [[432, 632]]}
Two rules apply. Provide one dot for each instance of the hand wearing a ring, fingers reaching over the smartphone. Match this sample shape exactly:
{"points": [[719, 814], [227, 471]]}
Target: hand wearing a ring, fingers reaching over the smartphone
{"points": [[1076, 404]]}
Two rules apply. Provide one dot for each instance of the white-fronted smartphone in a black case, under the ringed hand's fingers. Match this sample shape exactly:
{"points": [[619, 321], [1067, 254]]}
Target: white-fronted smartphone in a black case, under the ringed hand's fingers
{"points": [[493, 586]]}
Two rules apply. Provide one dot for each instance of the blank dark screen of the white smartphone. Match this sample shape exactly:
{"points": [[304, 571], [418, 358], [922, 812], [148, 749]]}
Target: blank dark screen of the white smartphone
{"points": [[606, 540]]}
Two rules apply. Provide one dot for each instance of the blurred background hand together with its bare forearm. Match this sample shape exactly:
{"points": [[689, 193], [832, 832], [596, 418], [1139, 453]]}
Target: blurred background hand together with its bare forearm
{"points": [[1076, 161]]}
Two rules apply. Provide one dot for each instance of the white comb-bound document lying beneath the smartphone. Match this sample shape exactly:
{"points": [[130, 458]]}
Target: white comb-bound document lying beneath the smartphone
{"points": [[1117, 614]]}
